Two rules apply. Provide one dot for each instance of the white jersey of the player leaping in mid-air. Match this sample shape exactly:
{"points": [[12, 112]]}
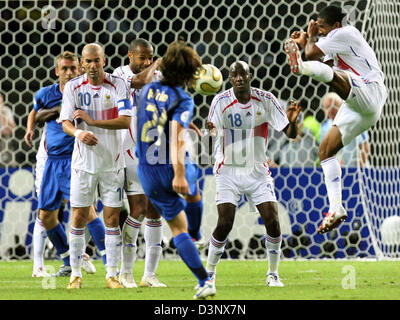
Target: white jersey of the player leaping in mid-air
{"points": [[351, 52]]}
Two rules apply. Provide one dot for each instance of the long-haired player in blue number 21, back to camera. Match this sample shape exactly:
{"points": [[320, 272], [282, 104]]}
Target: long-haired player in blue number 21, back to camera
{"points": [[164, 113]]}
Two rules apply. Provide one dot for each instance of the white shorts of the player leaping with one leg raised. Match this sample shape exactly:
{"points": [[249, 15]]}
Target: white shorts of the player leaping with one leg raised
{"points": [[362, 109]]}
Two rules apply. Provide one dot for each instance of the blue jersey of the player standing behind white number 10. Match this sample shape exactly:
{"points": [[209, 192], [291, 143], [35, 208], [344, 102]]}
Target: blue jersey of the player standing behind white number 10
{"points": [[58, 143]]}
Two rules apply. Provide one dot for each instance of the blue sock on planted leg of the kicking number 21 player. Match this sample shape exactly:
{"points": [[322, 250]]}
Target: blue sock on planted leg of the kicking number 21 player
{"points": [[190, 255]]}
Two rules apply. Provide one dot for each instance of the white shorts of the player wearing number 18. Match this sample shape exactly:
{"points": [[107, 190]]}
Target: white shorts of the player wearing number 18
{"points": [[258, 186]]}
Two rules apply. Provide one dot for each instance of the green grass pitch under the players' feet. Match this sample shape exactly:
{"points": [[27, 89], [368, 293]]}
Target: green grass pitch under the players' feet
{"points": [[236, 280]]}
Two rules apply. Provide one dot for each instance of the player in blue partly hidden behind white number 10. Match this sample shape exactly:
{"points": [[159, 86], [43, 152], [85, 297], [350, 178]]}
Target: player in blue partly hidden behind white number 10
{"points": [[55, 181]]}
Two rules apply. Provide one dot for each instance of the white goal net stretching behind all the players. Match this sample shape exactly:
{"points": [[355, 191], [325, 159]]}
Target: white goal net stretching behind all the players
{"points": [[33, 33]]}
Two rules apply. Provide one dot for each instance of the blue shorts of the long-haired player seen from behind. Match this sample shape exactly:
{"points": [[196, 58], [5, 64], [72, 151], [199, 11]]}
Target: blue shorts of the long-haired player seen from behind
{"points": [[156, 181]]}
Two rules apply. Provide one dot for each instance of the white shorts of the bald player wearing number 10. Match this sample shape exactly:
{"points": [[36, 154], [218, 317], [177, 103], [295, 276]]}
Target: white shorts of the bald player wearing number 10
{"points": [[84, 187]]}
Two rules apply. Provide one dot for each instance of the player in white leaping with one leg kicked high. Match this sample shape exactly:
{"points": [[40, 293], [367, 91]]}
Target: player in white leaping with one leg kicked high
{"points": [[356, 77]]}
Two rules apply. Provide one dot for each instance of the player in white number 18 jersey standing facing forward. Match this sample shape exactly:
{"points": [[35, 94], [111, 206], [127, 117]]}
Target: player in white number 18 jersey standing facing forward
{"points": [[241, 116]]}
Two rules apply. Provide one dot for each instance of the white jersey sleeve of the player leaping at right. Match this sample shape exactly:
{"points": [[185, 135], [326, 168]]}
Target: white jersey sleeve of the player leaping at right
{"points": [[336, 42]]}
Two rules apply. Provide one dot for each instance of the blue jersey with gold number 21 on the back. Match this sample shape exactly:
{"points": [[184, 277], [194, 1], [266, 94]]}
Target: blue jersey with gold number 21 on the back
{"points": [[158, 105]]}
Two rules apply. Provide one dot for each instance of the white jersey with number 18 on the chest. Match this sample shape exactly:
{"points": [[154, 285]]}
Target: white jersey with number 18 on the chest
{"points": [[243, 128]]}
